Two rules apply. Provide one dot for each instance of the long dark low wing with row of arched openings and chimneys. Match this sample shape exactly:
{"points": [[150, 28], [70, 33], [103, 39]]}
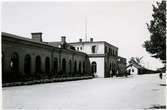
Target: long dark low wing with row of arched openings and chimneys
{"points": [[27, 59]]}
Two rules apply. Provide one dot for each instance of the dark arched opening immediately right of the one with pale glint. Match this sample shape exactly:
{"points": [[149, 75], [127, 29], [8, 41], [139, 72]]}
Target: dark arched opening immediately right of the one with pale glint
{"points": [[27, 64]]}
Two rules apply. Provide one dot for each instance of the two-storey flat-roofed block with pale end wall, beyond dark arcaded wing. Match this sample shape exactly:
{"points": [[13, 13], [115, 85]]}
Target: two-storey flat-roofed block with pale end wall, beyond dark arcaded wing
{"points": [[103, 57]]}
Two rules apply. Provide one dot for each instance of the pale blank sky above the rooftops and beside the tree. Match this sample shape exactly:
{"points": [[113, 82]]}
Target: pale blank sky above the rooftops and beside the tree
{"points": [[120, 23]]}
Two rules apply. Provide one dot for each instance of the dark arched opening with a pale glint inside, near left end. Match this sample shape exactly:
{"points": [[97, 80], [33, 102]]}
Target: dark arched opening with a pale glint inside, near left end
{"points": [[14, 63]]}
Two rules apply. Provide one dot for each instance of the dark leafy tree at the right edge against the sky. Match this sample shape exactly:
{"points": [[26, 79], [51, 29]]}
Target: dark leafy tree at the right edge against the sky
{"points": [[157, 28]]}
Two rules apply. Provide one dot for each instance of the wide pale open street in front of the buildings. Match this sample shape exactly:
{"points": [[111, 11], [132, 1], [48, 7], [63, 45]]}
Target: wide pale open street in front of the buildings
{"points": [[134, 92]]}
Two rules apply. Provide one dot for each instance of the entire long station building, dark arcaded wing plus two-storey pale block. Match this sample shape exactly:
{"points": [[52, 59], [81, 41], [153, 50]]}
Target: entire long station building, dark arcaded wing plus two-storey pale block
{"points": [[25, 59]]}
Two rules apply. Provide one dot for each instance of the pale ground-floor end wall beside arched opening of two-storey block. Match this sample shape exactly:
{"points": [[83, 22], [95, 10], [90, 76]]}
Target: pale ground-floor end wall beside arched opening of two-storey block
{"points": [[100, 66]]}
